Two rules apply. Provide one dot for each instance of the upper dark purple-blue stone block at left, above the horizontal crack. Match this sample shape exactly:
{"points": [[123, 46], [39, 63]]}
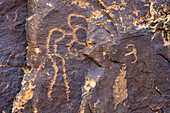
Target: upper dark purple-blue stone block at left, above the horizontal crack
{"points": [[12, 32]]}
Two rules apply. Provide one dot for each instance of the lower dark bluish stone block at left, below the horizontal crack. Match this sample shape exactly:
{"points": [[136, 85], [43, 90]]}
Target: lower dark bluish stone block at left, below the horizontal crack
{"points": [[10, 84]]}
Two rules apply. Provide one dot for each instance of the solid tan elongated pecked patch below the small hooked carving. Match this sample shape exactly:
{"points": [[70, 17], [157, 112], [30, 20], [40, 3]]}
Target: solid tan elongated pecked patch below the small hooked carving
{"points": [[120, 87]]}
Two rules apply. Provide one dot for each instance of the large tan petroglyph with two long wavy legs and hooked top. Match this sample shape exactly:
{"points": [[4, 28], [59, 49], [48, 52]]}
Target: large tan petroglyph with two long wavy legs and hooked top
{"points": [[52, 49]]}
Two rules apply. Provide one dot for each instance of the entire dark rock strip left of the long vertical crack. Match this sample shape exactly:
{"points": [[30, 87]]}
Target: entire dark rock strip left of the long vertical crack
{"points": [[12, 50]]}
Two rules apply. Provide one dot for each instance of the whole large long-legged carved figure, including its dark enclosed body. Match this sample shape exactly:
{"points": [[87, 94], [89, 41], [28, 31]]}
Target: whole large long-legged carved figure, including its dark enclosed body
{"points": [[58, 37]]}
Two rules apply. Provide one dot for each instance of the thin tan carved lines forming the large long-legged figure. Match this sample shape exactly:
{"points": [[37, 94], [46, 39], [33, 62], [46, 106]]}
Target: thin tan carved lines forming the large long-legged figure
{"points": [[74, 28]]}
